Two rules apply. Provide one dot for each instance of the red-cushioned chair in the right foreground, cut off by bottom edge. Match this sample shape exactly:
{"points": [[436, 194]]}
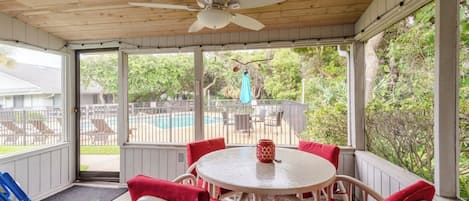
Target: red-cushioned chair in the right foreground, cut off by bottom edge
{"points": [[418, 191]]}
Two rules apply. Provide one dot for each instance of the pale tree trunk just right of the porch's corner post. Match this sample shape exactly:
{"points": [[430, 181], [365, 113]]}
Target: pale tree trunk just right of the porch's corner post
{"points": [[372, 65]]}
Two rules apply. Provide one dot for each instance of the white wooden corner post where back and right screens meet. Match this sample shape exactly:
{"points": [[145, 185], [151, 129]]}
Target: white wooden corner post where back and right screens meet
{"points": [[356, 96]]}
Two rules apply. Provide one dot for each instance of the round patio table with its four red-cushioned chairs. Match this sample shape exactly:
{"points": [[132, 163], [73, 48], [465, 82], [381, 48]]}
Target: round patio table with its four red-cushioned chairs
{"points": [[306, 173]]}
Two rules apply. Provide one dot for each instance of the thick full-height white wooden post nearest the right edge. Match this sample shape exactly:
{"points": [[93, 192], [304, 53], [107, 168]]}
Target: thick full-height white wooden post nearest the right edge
{"points": [[446, 99]]}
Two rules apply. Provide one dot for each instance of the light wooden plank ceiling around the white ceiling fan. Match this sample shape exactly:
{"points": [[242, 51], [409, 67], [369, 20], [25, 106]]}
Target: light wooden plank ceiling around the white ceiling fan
{"points": [[112, 19]]}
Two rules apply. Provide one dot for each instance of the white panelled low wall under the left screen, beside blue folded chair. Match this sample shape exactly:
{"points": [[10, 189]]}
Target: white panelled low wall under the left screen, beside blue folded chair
{"points": [[40, 172]]}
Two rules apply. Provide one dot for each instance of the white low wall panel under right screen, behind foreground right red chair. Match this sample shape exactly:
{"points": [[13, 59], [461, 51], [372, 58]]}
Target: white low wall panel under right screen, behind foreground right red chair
{"points": [[383, 176]]}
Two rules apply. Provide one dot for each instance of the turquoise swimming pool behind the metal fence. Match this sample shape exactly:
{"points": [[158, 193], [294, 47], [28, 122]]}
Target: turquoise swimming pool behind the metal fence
{"points": [[162, 121]]}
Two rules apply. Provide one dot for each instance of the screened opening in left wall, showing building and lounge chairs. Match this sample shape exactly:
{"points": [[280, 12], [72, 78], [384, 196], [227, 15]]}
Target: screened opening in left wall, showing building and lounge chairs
{"points": [[28, 117]]}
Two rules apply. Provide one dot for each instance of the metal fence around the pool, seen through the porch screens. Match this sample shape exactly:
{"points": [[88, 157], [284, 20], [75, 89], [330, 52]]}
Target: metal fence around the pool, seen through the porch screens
{"points": [[162, 123]]}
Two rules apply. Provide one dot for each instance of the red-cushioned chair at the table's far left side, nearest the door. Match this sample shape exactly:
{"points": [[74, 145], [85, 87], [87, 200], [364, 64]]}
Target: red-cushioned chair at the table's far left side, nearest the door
{"points": [[198, 149]]}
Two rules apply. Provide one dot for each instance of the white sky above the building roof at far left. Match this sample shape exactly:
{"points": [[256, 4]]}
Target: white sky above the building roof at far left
{"points": [[23, 55]]}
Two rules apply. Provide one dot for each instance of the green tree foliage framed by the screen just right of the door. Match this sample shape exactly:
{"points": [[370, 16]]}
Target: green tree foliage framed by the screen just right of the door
{"points": [[152, 76]]}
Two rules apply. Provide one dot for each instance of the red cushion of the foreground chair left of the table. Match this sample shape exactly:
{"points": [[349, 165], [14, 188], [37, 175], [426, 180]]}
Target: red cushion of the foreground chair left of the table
{"points": [[142, 185]]}
